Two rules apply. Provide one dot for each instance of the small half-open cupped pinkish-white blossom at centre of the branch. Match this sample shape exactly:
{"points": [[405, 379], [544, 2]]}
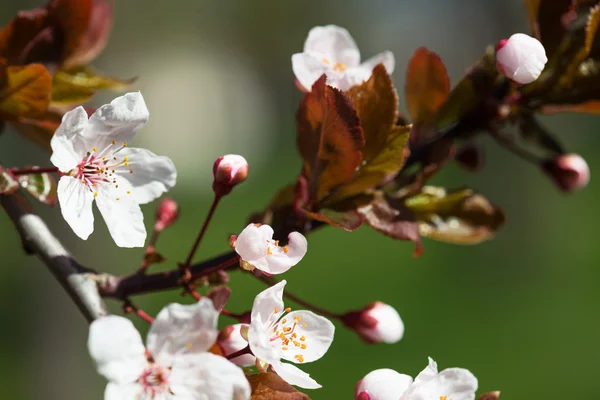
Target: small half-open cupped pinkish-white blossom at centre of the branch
{"points": [[256, 247]]}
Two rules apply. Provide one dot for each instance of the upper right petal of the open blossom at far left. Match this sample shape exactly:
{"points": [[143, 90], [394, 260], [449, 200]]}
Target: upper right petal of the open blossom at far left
{"points": [[120, 120]]}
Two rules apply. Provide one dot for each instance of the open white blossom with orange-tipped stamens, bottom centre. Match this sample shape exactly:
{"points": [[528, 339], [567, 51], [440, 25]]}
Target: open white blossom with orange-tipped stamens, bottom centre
{"points": [[277, 333]]}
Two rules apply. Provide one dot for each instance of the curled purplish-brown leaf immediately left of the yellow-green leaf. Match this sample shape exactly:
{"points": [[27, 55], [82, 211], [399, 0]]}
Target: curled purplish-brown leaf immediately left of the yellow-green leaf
{"points": [[391, 217]]}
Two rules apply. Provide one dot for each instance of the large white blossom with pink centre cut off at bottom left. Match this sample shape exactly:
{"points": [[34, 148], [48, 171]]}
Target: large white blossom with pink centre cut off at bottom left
{"points": [[175, 365]]}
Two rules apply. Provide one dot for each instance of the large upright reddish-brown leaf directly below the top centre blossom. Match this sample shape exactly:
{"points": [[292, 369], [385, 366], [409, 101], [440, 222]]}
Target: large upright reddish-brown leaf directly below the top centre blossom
{"points": [[329, 138]]}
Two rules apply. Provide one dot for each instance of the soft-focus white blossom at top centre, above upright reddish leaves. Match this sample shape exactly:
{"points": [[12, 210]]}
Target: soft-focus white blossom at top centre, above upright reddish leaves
{"points": [[331, 50]]}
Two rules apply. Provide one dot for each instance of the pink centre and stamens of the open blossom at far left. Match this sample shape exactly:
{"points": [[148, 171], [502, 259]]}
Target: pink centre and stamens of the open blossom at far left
{"points": [[100, 167]]}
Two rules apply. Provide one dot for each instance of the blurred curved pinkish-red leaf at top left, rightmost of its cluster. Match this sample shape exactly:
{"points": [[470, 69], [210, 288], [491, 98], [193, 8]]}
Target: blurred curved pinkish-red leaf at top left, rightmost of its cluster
{"points": [[96, 36]]}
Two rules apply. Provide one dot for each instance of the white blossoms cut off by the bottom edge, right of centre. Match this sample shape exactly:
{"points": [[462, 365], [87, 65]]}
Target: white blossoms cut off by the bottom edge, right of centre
{"points": [[386, 384]]}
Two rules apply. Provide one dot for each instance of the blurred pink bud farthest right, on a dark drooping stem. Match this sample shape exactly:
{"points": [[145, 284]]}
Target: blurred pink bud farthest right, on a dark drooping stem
{"points": [[569, 172]]}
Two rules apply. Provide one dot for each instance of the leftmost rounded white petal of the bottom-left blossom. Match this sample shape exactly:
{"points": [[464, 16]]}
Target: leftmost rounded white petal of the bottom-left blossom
{"points": [[117, 348]]}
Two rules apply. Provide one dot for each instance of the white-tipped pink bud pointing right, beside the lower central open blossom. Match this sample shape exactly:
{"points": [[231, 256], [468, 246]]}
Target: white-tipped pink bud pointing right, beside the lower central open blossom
{"points": [[376, 323]]}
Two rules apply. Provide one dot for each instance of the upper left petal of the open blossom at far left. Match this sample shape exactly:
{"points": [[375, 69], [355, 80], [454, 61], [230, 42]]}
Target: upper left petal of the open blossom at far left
{"points": [[68, 147]]}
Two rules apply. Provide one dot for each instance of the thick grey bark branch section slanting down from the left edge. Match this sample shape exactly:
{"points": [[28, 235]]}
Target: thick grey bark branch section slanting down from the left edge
{"points": [[79, 282]]}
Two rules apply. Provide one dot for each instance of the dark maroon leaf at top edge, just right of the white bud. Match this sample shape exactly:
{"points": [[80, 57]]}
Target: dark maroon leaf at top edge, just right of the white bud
{"points": [[552, 28]]}
